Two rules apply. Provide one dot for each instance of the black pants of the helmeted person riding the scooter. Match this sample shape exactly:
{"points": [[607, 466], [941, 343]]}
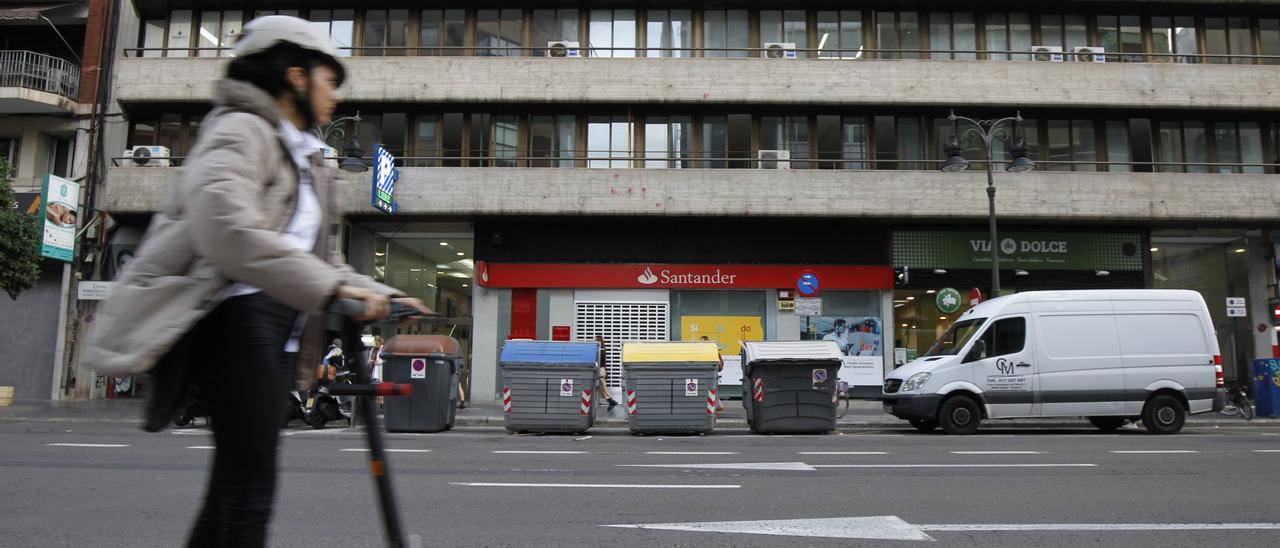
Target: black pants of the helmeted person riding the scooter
{"points": [[245, 378]]}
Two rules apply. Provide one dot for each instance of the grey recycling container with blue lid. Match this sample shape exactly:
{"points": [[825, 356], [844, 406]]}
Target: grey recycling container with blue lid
{"points": [[550, 386]]}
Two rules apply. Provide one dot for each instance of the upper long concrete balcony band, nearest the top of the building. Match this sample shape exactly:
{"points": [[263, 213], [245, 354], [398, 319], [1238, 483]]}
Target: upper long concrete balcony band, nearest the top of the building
{"points": [[830, 83]]}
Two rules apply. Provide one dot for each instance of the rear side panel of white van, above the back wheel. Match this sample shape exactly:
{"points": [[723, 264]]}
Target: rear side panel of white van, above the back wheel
{"points": [[1168, 348]]}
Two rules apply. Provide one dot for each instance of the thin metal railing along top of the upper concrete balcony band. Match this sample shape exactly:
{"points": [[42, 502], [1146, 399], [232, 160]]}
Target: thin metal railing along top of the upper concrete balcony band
{"points": [[752, 53]]}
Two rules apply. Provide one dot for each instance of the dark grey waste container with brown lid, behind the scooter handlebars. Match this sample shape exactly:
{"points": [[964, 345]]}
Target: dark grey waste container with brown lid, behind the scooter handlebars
{"points": [[431, 364]]}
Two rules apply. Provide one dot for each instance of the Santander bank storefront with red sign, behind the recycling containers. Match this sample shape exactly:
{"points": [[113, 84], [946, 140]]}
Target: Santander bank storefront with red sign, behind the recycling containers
{"points": [[577, 281]]}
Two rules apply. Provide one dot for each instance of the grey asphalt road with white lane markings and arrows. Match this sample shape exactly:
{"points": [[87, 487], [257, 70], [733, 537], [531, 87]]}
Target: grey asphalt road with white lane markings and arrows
{"points": [[113, 486]]}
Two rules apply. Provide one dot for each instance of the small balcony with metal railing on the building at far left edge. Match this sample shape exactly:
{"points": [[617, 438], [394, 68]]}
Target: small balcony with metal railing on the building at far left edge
{"points": [[38, 84]]}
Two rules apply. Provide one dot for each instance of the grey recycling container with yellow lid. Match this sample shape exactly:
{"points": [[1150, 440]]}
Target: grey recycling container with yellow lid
{"points": [[670, 387]]}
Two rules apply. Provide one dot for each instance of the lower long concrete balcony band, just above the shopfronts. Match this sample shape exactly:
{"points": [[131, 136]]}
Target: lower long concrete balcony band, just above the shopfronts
{"points": [[1036, 197]]}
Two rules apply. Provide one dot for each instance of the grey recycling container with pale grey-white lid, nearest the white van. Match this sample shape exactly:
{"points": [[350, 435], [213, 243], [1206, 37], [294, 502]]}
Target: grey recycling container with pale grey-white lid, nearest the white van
{"points": [[790, 387]]}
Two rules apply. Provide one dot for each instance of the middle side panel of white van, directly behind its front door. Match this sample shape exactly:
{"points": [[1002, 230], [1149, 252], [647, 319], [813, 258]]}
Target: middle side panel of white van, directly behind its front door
{"points": [[1080, 366]]}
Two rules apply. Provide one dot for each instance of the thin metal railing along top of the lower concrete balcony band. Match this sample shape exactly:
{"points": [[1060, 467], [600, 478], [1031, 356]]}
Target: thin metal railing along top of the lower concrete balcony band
{"points": [[601, 161]]}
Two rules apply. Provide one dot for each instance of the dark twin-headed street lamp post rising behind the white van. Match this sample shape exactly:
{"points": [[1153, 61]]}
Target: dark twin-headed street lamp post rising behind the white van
{"points": [[1020, 162]]}
